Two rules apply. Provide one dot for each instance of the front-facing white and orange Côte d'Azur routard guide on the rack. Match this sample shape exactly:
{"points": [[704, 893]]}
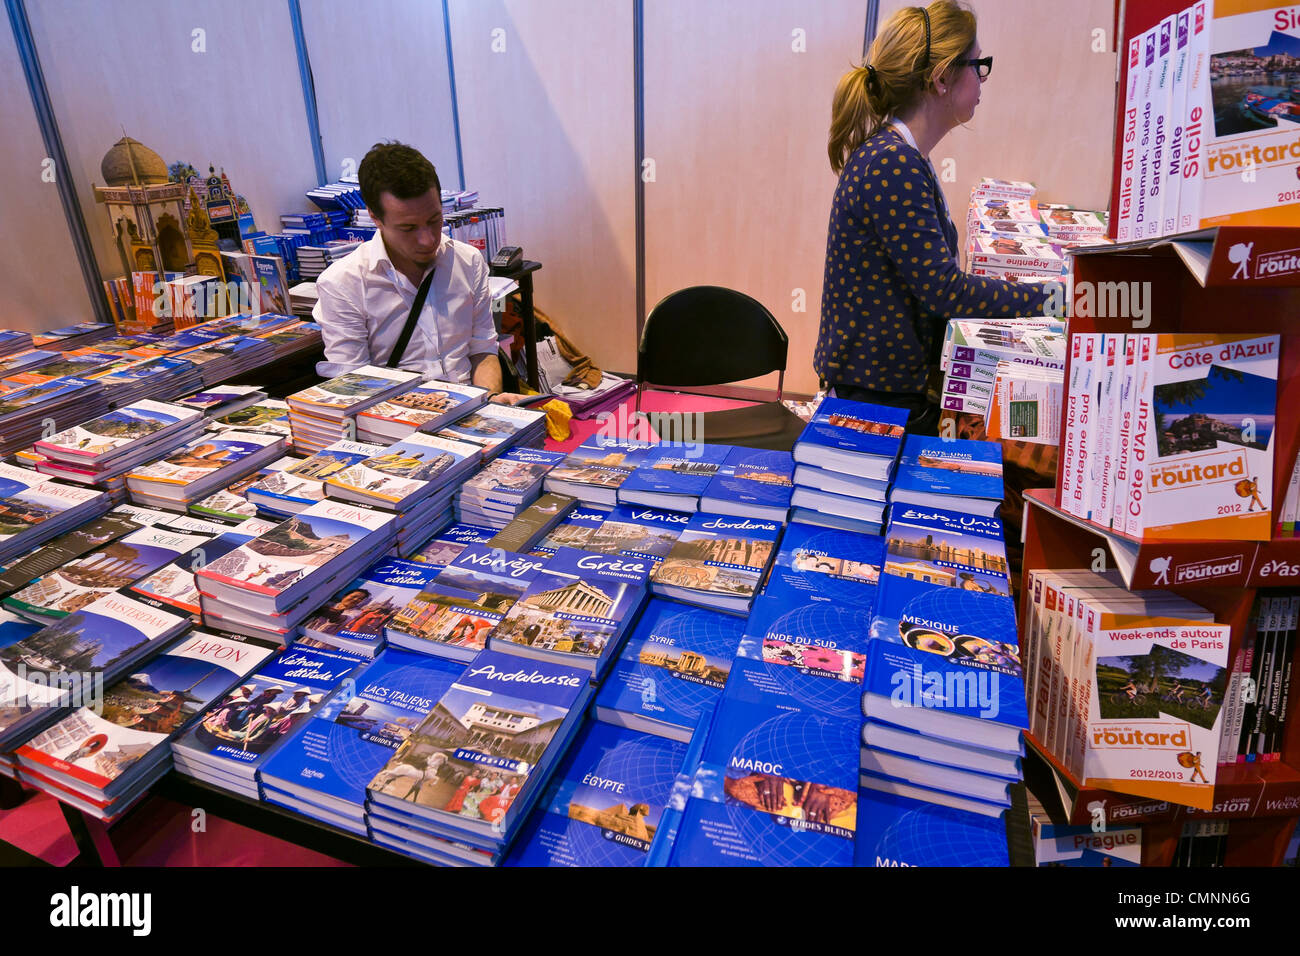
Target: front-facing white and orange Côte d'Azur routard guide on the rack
{"points": [[1203, 445]]}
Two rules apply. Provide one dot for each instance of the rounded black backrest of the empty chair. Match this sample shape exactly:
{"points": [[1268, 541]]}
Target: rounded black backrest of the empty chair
{"points": [[708, 335]]}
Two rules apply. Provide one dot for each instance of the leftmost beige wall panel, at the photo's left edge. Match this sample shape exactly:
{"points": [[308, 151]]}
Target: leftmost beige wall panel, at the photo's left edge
{"points": [[42, 282]]}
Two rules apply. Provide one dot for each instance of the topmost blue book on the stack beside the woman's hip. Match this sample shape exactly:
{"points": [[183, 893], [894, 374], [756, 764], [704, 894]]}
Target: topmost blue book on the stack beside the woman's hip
{"points": [[853, 438]]}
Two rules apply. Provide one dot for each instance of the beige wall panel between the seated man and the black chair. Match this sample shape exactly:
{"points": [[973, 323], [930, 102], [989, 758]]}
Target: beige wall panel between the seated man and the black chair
{"points": [[547, 126]]}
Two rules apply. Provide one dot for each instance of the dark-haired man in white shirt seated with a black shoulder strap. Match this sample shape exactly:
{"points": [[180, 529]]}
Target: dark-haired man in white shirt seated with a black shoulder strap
{"points": [[363, 300]]}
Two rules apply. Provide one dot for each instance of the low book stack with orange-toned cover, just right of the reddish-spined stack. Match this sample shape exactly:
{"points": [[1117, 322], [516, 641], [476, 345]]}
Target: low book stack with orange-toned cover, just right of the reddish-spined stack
{"points": [[203, 466]]}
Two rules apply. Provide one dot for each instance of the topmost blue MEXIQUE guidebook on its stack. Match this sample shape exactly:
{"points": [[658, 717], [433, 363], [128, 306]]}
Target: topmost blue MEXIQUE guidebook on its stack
{"points": [[955, 672]]}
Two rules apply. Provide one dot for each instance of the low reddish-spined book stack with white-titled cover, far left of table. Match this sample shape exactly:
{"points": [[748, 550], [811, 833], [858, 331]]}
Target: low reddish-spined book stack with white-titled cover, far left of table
{"points": [[106, 448]]}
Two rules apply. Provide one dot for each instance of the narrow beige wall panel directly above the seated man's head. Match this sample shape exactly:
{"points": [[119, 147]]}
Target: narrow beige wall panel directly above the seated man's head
{"points": [[382, 73]]}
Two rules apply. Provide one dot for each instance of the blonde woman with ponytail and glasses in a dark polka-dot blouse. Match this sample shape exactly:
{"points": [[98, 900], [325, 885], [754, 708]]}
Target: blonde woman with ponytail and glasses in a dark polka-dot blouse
{"points": [[892, 278]]}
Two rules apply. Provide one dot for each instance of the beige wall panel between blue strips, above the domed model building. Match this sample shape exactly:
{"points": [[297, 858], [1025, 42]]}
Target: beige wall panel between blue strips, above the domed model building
{"points": [[210, 81]]}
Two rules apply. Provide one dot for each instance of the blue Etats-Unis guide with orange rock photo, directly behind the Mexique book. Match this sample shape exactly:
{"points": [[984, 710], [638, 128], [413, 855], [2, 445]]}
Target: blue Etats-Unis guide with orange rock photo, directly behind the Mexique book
{"points": [[930, 548]]}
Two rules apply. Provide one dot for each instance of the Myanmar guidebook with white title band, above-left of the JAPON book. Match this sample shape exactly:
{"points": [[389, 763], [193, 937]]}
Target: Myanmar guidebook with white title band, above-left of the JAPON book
{"points": [[70, 663]]}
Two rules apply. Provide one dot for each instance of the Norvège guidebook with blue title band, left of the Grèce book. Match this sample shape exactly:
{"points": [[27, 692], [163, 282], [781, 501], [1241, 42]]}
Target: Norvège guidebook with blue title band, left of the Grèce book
{"points": [[460, 609]]}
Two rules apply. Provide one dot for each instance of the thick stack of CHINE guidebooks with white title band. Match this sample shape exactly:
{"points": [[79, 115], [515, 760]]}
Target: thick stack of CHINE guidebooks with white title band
{"points": [[271, 585]]}
